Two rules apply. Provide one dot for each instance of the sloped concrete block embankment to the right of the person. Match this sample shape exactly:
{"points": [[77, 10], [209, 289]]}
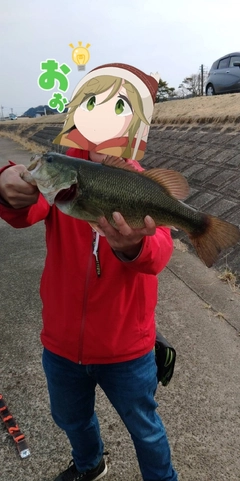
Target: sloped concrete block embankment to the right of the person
{"points": [[209, 158]]}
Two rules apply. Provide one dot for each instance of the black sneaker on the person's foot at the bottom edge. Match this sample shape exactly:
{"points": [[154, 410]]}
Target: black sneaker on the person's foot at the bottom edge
{"points": [[72, 474]]}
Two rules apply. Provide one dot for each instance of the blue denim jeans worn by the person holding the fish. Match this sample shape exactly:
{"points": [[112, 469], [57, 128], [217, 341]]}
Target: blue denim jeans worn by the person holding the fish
{"points": [[130, 387]]}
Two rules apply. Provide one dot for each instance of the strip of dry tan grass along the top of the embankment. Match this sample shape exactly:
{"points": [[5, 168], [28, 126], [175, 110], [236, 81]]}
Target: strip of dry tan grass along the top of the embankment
{"points": [[220, 111]]}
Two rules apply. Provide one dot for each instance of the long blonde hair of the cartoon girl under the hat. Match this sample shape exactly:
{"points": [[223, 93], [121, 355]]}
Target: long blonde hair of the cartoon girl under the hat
{"points": [[97, 86]]}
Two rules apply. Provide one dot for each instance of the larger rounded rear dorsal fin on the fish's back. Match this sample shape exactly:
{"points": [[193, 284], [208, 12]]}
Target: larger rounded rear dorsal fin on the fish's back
{"points": [[173, 182]]}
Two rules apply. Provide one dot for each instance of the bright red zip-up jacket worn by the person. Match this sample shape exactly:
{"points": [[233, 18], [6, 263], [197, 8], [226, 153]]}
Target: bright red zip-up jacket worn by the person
{"points": [[87, 318]]}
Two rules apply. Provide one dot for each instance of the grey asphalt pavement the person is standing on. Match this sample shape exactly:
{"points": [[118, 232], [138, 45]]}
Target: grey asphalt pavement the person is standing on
{"points": [[196, 311]]}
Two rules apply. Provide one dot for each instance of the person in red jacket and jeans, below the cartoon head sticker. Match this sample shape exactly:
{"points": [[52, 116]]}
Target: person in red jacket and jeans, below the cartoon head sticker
{"points": [[99, 295]]}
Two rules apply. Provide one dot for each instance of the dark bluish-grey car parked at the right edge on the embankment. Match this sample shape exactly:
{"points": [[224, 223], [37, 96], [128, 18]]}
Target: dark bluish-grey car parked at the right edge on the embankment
{"points": [[224, 75]]}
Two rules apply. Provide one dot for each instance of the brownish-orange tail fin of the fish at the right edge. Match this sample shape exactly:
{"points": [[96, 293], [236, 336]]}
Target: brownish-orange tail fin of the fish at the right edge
{"points": [[218, 235]]}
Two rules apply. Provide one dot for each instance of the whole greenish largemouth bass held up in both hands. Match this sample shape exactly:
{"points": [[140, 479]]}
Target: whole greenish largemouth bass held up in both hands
{"points": [[87, 190]]}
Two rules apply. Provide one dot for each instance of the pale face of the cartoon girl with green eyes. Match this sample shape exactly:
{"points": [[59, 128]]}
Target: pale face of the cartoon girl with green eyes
{"points": [[95, 111]]}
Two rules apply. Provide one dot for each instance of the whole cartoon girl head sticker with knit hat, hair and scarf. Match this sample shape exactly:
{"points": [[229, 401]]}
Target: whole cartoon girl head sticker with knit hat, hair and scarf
{"points": [[110, 112]]}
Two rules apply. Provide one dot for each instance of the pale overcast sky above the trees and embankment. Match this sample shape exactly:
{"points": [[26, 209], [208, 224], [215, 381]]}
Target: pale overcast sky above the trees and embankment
{"points": [[171, 37]]}
